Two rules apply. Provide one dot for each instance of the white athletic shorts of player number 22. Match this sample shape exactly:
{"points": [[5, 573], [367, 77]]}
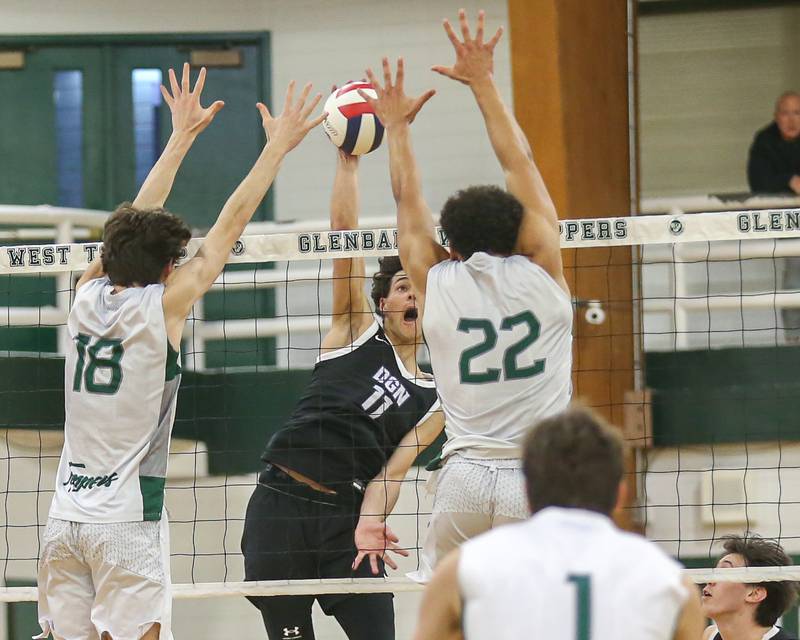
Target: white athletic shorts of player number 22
{"points": [[472, 495]]}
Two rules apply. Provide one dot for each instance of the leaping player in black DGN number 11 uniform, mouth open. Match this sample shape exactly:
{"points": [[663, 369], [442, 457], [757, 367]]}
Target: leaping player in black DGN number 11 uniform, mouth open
{"points": [[365, 415]]}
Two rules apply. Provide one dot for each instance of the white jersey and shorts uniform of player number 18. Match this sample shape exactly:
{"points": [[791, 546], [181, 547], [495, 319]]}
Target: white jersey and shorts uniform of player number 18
{"points": [[104, 564]]}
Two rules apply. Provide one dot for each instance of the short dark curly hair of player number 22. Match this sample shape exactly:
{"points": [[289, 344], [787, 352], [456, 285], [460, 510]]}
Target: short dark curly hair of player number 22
{"points": [[481, 218]]}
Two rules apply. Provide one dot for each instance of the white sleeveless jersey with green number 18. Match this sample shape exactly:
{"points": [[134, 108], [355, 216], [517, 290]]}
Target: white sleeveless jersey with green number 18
{"points": [[121, 383]]}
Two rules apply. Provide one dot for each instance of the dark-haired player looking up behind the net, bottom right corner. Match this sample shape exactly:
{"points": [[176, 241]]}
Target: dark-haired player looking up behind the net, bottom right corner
{"points": [[749, 610]]}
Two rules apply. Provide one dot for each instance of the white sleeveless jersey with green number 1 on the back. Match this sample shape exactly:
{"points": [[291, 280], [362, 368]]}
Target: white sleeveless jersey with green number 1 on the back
{"points": [[568, 574]]}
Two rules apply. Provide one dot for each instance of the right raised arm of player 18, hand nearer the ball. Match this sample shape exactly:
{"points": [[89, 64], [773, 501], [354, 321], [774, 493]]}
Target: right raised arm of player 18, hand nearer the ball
{"points": [[284, 133]]}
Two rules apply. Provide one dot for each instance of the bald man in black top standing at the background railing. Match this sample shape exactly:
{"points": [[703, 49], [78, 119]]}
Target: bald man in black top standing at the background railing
{"points": [[774, 167]]}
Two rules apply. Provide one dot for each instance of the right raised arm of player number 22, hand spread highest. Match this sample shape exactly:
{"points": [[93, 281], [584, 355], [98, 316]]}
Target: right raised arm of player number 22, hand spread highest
{"points": [[474, 66]]}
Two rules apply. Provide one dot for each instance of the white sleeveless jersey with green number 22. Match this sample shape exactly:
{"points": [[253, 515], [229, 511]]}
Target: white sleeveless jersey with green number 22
{"points": [[499, 332]]}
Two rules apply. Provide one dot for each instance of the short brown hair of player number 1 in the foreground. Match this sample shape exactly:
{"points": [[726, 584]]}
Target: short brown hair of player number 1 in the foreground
{"points": [[573, 459]]}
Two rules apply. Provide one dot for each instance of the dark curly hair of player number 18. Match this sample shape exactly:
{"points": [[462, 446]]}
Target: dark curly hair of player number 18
{"points": [[138, 244]]}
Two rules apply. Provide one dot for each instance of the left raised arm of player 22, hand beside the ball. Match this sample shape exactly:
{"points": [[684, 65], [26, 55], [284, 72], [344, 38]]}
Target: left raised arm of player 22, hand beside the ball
{"points": [[416, 235]]}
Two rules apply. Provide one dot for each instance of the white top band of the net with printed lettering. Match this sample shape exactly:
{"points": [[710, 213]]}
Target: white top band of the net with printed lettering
{"points": [[362, 243]]}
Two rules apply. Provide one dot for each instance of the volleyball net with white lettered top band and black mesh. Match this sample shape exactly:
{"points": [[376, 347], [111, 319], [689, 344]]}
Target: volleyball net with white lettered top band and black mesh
{"points": [[707, 305]]}
